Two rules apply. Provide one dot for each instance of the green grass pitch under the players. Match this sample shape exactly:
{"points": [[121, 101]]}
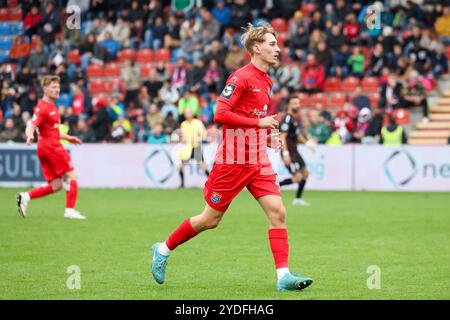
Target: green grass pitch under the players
{"points": [[407, 235]]}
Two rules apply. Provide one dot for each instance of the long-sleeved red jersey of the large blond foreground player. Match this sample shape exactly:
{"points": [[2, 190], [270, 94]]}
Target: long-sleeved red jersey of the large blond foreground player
{"points": [[244, 100]]}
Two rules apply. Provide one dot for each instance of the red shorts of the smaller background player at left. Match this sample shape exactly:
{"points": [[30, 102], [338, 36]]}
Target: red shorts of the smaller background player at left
{"points": [[55, 161]]}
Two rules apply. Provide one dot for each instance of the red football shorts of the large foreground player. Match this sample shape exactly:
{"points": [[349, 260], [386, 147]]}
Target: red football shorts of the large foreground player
{"points": [[226, 181]]}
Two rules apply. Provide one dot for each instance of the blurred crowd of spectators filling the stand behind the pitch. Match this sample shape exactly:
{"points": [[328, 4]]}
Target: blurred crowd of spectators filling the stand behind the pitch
{"points": [[401, 43]]}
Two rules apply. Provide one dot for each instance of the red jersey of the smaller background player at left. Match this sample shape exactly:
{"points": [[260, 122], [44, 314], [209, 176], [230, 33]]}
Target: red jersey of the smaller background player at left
{"points": [[47, 120]]}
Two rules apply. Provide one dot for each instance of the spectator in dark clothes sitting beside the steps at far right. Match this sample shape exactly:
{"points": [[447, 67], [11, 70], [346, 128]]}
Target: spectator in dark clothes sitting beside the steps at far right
{"points": [[414, 95]]}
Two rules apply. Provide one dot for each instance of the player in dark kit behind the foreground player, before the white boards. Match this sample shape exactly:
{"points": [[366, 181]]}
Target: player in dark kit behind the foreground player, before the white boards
{"points": [[291, 135]]}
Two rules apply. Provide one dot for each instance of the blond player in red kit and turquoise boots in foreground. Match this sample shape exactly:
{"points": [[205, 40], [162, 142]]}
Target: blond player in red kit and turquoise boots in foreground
{"points": [[242, 160]]}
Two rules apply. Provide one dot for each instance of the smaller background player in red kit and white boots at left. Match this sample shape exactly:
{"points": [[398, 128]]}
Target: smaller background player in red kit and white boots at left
{"points": [[55, 160]]}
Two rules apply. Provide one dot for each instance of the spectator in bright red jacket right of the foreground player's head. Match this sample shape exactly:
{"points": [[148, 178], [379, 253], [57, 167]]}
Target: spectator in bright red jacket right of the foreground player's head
{"points": [[312, 75]]}
